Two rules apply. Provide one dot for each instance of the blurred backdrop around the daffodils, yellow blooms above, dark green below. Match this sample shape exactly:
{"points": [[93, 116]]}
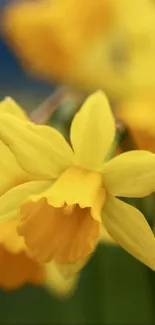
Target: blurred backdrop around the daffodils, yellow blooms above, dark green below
{"points": [[71, 48]]}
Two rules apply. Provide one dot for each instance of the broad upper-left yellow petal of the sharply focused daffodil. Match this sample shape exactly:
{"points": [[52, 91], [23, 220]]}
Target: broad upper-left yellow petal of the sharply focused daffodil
{"points": [[40, 150]]}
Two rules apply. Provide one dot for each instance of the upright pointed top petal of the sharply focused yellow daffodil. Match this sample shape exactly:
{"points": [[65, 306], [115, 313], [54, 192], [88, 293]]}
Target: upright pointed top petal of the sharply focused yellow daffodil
{"points": [[92, 131]]}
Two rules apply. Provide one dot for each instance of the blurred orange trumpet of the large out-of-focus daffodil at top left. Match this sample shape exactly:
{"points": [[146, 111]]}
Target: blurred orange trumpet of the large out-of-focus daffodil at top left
{"points": [[63, 28]]}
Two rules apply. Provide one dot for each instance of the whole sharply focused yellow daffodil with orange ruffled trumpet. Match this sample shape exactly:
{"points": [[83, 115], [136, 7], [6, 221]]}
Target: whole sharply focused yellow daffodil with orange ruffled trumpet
{"points": [[76, 189]]}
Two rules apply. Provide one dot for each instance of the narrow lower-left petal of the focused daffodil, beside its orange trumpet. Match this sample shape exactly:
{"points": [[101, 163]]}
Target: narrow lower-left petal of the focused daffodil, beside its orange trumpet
{"points": [[10, 202]]}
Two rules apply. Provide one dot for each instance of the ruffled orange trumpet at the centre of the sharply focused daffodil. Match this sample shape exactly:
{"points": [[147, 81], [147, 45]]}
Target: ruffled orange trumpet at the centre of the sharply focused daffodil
{"points": [[64, 223]]}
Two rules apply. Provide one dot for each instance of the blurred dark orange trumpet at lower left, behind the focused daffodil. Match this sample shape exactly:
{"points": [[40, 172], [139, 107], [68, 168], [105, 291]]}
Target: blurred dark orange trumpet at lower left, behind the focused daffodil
{"points": [[16, 267]]}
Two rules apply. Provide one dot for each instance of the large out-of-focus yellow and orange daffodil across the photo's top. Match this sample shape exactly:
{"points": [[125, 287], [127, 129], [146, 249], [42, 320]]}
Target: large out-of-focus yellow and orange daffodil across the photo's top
{"points": [[90, 44]]}
